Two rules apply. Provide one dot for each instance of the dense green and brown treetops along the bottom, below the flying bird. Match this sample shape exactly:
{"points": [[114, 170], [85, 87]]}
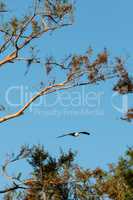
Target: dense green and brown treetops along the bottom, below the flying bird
{"points": [[62, 179]]}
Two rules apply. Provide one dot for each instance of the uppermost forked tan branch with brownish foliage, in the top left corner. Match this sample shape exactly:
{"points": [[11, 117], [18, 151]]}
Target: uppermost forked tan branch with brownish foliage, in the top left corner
{"points": [[21, 28]]}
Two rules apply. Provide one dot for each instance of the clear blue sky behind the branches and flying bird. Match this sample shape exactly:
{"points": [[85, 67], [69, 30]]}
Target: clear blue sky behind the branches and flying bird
{"points": [[99, 24]]}
